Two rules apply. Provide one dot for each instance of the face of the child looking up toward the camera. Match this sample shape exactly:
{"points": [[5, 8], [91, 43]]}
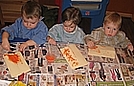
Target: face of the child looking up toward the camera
{"points": [[110, 29]]}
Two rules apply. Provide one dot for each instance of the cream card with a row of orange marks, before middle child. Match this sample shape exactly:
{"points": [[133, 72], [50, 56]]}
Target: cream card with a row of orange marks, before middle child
{"points": [[73, 56]]}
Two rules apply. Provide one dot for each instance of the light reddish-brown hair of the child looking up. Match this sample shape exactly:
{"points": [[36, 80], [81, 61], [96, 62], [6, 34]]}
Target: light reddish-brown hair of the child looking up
{"points": [[115, 18]]}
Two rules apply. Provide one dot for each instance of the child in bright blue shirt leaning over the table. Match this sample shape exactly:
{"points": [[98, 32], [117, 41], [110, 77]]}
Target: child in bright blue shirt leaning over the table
{"points": [[29, 27]]}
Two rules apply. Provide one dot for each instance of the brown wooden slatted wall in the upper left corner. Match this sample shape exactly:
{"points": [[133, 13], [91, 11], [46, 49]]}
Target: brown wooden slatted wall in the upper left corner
{"points": [[11, 9]]}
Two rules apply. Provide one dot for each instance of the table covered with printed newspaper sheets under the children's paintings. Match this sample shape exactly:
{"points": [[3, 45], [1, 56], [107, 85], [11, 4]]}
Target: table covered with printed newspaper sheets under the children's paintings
{"points": [[99, 71]]}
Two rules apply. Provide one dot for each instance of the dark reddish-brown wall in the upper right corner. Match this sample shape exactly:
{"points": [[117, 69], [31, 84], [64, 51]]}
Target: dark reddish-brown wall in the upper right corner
{"points": [[123, 7]]}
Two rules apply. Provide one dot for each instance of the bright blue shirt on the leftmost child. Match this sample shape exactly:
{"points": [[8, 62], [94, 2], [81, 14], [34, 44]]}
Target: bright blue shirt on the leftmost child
{"points": [[18, 30]]}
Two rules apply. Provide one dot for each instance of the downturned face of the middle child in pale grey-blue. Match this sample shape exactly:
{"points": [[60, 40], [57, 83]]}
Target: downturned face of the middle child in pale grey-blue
{"points": [[69, 26]]}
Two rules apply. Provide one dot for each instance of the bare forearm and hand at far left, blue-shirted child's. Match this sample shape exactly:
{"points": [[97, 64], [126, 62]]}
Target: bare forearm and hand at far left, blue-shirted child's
{"points": [[5, 42]]}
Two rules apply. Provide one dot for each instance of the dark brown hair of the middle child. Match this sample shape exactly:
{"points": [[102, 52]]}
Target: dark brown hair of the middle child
{"points": [[71, 14]]}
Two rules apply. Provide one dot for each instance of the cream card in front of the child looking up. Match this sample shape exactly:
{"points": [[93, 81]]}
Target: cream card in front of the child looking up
{"points": [[103, 51]]}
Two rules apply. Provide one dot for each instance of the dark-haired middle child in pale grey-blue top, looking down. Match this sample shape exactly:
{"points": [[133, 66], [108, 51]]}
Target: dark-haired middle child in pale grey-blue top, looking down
{"points": [[68, 31]]}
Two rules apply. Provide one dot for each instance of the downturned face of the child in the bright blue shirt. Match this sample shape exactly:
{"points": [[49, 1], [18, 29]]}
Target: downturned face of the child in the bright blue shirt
{"points": [[30, 23]]}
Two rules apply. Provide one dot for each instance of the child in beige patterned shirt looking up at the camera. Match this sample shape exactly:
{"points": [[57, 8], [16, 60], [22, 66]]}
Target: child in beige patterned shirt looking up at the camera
{"points": [[109, 34]]}
